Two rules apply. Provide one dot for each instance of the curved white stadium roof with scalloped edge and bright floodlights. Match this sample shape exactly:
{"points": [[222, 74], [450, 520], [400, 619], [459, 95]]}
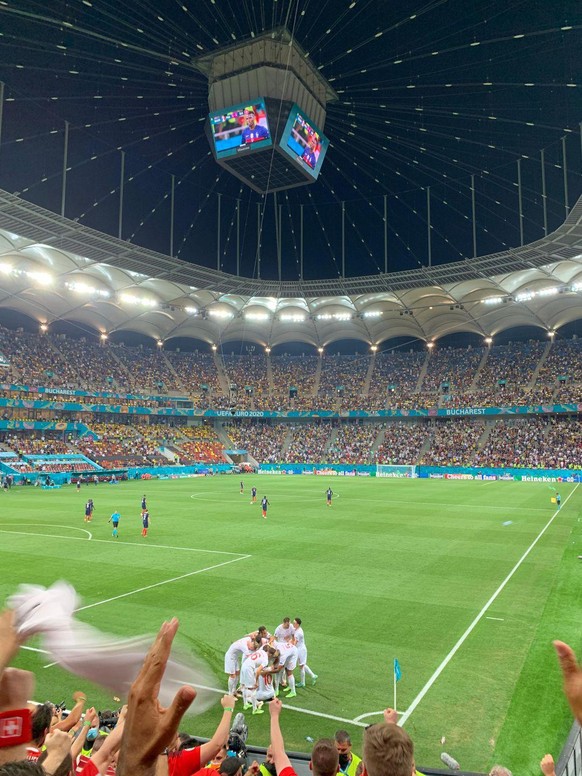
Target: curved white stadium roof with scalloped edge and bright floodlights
{"points": [[52, 269]]}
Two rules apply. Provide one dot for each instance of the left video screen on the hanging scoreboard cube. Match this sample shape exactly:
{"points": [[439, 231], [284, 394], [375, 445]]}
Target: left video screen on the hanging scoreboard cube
{"points": [[240, 129]]}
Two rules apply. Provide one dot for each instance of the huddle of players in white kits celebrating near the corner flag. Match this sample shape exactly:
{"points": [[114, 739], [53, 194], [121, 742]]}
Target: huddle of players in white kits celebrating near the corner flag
{"points": [[259, 664]]}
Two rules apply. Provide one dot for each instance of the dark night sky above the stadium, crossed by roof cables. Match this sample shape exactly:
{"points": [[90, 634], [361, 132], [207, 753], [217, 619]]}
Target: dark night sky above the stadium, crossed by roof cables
{"points": [[431, 93]]}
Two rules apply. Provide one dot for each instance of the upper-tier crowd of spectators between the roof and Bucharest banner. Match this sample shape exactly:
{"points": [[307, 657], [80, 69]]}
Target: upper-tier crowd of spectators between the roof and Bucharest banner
{"points": [[261, 381]]}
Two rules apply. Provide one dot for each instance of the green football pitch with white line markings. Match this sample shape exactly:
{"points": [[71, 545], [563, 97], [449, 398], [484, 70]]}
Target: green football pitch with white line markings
{"points": [[466, 583]]}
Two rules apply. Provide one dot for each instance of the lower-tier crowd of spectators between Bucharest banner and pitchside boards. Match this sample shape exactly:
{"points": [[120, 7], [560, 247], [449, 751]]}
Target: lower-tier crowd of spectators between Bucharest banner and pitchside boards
{"points": [[547, 441]]}
